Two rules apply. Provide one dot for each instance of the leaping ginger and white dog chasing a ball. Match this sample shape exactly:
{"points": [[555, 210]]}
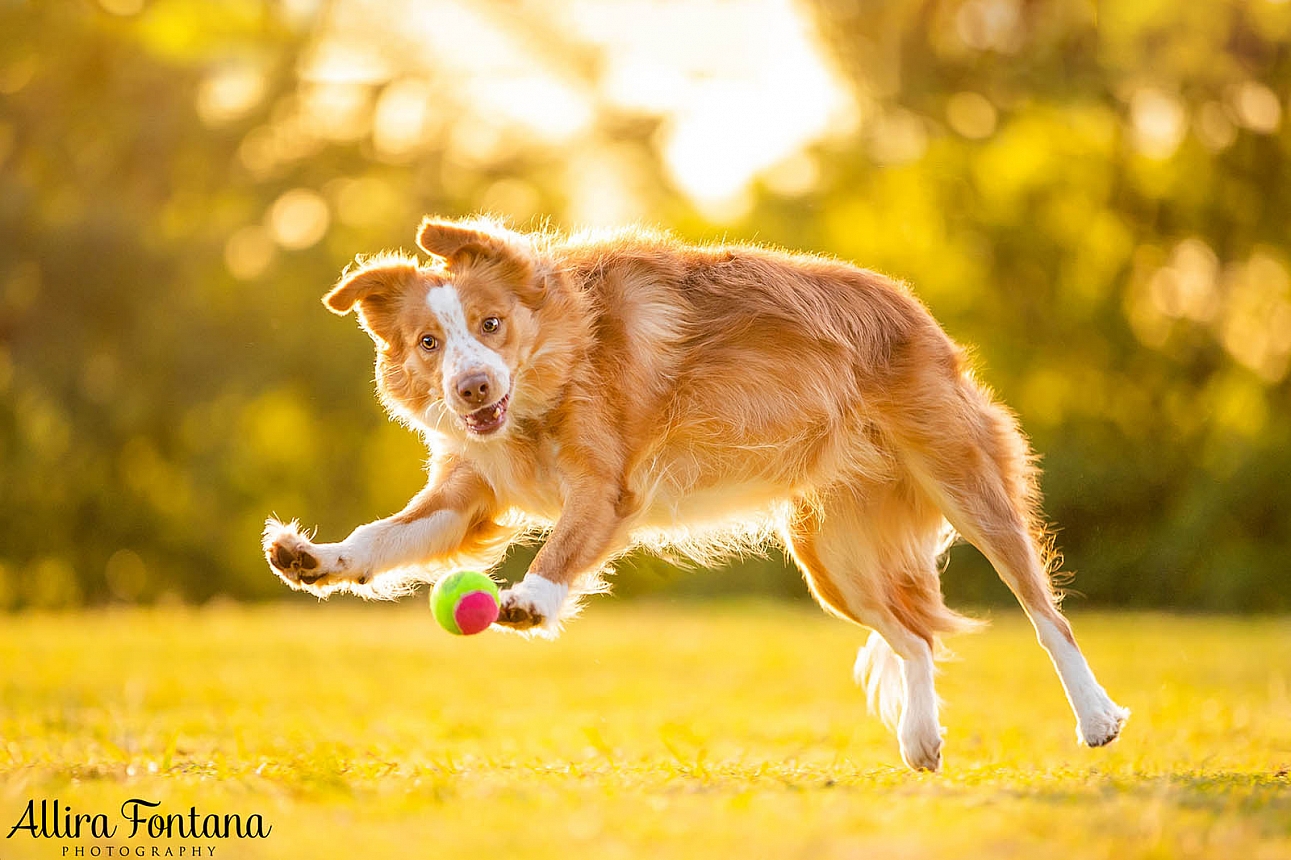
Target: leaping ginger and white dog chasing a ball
{"points": [[627, 389]]}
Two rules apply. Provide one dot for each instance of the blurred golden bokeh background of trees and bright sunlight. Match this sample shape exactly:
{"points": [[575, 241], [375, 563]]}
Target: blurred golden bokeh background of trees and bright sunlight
{"points": [[1095, 197]]}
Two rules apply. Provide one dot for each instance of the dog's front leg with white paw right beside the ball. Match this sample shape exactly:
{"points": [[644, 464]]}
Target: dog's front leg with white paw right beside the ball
{"points": [[591, 530]]}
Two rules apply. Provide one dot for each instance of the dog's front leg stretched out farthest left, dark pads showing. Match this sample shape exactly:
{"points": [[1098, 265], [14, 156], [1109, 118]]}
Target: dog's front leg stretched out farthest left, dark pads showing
{"points": [[433, 526]]}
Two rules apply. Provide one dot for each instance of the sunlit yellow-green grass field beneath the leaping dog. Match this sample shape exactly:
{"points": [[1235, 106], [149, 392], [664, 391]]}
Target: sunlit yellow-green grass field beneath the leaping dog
{"points": [[646, 732]]}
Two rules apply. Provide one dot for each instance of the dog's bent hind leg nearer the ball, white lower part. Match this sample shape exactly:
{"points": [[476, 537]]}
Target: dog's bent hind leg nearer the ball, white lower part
{"points": [[871, 556]]}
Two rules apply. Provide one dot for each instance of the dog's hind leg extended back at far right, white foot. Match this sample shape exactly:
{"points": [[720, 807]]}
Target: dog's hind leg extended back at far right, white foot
{"points": [[978, 467]]}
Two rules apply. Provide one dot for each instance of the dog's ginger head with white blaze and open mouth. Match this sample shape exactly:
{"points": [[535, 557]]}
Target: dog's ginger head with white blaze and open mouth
{"points": [[456, 338]]}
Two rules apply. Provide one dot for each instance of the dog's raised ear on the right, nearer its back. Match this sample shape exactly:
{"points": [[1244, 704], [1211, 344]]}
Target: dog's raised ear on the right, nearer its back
{"points": [[485, 245]]}
